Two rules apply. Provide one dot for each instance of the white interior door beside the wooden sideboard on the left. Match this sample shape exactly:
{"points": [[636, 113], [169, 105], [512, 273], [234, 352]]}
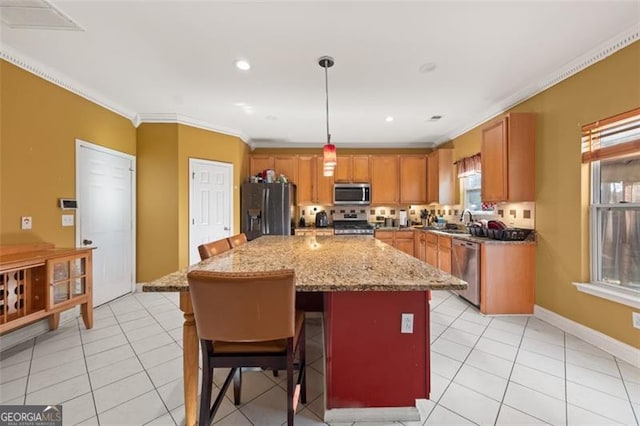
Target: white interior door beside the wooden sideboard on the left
{"points": [[105, 182]]}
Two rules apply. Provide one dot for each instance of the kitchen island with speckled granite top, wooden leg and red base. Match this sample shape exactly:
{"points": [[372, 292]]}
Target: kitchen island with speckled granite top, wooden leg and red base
{"points": [[373, 371]]}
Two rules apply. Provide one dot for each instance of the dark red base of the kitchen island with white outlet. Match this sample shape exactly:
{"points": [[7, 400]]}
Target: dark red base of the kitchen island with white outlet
{"points": [[370, 363]]}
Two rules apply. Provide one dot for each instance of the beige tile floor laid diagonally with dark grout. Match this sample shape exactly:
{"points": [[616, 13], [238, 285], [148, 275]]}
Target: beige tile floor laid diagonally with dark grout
{"points": [[486, 371]]}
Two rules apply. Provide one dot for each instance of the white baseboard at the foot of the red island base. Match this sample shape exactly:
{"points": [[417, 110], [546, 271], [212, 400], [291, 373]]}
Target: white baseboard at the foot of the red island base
{"points": [[382, 414]]}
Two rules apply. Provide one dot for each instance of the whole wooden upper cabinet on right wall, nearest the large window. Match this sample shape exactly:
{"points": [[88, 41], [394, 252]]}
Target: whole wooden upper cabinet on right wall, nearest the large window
{"points": [[508, 158]]}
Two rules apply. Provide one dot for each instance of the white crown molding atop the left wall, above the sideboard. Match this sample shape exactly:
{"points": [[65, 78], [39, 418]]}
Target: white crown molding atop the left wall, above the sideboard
{"points": [[63, 81]]}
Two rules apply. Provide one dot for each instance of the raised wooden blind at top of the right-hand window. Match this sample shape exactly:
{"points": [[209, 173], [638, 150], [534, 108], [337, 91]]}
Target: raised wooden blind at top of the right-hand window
{"points": [[611, 137]]}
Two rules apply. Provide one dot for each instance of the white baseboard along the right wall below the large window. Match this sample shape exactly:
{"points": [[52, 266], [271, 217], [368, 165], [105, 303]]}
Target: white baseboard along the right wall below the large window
{"points": [[615, 347]]}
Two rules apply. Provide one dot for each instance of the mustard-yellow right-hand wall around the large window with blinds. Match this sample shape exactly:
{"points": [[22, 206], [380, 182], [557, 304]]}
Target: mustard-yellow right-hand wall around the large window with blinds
{"points": [[562, 257]]}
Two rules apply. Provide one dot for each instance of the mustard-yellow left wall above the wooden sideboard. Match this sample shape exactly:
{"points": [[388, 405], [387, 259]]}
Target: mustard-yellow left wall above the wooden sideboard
{"points": [[39, 126]]}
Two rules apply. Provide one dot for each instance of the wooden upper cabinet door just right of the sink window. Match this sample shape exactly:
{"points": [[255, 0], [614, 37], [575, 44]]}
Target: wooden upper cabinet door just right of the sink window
{"points": [[494, 162]]}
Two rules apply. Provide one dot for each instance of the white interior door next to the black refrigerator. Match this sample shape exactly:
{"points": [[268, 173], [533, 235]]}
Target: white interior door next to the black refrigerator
{"points": [[210, 203]]}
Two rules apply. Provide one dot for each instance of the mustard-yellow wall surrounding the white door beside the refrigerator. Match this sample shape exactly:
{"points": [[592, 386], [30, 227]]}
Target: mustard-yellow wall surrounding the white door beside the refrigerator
{"points": [[164, 151]]}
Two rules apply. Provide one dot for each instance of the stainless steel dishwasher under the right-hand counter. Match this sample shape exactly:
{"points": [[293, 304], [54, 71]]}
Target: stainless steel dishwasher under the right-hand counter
{"points": [[465, 264]]}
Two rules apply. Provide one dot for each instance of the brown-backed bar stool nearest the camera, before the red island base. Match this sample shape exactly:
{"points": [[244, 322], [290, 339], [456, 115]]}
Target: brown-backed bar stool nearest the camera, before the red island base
{"points": [[247, 320]]}
